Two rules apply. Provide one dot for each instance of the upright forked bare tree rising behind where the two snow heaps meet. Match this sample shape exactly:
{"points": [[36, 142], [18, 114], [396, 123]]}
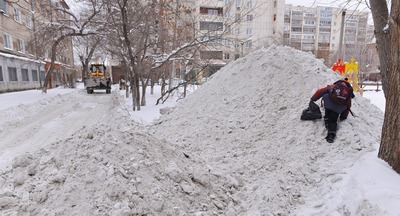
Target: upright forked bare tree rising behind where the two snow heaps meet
{"points": [[127, 34]]}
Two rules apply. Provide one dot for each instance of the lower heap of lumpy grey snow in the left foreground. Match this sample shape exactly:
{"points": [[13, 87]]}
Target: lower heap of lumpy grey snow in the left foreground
{"points": [[111, 170]]}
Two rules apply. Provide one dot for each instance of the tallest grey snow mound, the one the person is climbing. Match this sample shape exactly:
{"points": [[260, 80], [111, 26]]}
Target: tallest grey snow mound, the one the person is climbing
{"points": [[246, 121]]}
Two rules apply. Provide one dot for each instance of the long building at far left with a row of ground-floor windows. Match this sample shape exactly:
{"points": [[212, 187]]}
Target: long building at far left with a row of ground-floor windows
{"points": [[21, 64]]}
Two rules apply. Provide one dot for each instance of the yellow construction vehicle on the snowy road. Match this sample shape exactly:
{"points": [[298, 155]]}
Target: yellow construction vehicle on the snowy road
{"points": [[97, 79]]}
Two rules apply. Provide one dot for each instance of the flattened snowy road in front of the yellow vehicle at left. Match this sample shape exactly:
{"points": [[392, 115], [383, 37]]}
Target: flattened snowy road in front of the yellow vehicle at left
{"points": [[30, 126]]}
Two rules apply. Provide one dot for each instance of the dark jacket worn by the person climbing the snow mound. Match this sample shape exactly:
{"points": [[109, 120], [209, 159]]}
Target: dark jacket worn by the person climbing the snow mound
{"points": [[329, 104]]}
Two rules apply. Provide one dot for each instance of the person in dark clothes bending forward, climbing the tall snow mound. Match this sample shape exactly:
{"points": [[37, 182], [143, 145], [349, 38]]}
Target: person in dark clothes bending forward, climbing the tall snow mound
{"points": [[333, 110]]}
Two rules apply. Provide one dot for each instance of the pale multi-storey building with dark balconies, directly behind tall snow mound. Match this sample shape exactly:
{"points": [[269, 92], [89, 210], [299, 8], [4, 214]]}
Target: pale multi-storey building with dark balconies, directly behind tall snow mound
{"points": [[238, 27]]}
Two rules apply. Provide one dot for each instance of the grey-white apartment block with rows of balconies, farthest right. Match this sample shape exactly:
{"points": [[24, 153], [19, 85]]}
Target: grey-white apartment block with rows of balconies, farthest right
{"points": [[318, 29]]}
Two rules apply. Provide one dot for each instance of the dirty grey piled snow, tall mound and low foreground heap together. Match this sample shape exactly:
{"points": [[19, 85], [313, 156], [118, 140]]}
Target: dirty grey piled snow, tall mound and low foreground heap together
{"points": [[236, 146]]}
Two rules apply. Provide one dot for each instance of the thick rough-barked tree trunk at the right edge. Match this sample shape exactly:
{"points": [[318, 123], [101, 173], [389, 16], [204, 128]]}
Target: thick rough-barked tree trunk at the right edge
{"points": [[387, 33]]}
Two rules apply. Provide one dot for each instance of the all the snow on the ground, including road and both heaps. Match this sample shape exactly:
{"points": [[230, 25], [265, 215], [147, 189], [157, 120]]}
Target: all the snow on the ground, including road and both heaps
{"points": [[235, 146]]}
